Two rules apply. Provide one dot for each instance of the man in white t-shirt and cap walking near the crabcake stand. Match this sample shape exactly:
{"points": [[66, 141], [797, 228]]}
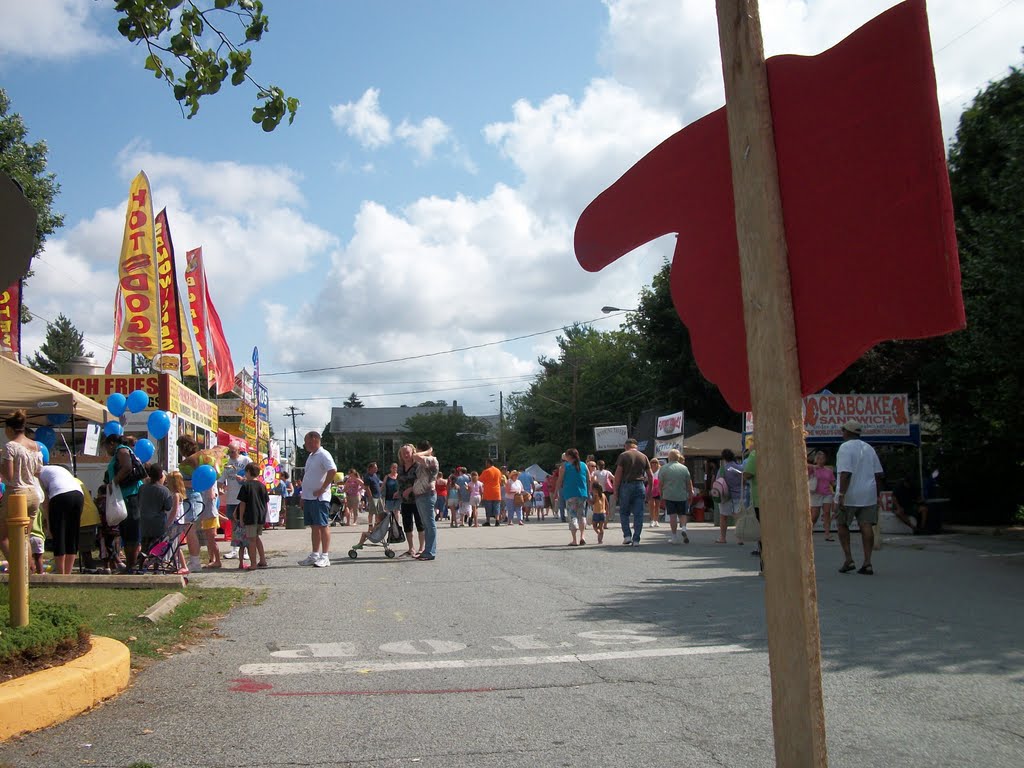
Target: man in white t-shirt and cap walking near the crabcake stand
{"points": [[858, 495]]}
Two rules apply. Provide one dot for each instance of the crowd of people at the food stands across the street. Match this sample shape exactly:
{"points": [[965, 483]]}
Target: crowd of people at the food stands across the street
{"points": [[164, 507]]}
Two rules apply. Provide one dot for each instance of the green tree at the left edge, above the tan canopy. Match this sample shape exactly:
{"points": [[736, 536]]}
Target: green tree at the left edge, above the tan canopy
{"points": [[27, 165]]}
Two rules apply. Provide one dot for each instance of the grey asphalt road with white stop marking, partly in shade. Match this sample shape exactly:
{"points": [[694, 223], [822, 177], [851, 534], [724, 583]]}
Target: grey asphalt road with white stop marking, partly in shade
{"points": [[514, 650]]}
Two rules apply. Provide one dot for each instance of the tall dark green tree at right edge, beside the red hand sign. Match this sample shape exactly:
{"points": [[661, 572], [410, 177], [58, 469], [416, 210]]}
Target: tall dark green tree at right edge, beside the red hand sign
{"points": [[983, 370]]}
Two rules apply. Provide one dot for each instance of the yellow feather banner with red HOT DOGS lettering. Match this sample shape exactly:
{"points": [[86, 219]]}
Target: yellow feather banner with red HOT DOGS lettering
{"points": [[138, 274]]}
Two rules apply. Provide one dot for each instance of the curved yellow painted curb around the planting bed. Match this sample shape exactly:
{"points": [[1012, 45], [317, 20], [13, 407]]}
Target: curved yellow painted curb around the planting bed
{"points": [[51, 697]]}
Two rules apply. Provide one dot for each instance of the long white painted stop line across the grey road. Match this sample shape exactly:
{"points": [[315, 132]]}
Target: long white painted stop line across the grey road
{"points": [[348, 668]]}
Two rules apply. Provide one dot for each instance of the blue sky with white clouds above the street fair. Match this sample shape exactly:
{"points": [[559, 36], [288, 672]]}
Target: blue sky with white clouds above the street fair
{"points": [[424, 200]]}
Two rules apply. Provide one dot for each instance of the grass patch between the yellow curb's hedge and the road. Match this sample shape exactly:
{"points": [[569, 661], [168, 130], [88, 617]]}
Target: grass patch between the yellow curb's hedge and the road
{"points": [[114, 613]]}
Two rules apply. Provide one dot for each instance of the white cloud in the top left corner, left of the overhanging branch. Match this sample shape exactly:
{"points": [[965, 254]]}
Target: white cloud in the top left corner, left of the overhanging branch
{"points": [[51, 29]]}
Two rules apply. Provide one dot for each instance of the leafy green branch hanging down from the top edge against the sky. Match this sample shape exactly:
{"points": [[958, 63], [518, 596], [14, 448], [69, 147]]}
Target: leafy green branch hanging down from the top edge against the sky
{"points": [[193, 36]]}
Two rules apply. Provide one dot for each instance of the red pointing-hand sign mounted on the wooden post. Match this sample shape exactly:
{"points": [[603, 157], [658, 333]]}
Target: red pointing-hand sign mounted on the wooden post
{"points": [[866, 200]]}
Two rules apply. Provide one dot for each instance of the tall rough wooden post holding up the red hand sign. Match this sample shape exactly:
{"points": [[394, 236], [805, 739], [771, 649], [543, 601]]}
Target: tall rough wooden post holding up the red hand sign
{"points": [[791, 596]]}
